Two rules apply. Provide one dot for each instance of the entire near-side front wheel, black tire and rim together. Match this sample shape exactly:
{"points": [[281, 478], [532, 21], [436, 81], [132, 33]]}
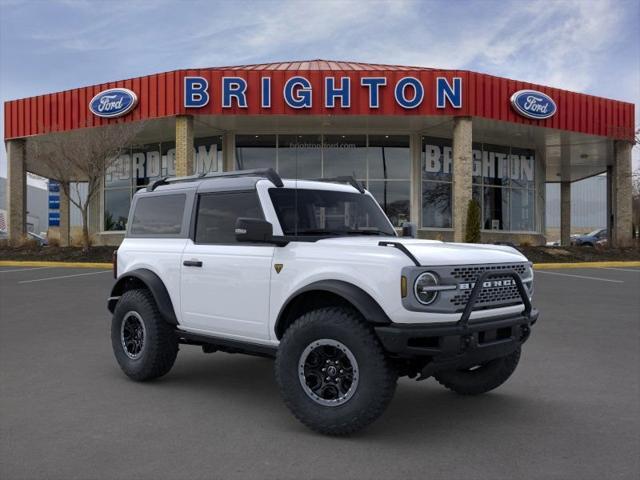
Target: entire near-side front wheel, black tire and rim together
{"points": [[332, 372]]}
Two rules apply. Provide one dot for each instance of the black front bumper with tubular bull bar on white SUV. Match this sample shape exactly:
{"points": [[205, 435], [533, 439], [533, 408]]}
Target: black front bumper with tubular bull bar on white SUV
{"points": [[465, 343]]}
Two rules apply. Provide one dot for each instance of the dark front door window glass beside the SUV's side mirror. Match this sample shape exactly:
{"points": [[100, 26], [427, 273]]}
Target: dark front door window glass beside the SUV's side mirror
{"points": [[218, 213]]}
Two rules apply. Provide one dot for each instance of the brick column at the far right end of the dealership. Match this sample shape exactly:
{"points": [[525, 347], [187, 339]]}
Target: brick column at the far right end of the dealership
{"points": [[621, 235]]}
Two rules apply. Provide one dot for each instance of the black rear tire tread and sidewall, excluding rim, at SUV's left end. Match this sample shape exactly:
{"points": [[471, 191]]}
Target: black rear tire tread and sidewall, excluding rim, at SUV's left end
{"points": [[160, 346]]}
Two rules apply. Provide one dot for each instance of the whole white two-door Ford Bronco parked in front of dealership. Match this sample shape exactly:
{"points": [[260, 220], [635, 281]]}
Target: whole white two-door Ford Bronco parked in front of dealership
{"points": [[313, 274]]}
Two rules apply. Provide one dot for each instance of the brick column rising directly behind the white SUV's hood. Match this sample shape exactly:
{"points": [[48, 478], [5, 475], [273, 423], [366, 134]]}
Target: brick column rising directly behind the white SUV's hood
{"points": [[462, 174]]}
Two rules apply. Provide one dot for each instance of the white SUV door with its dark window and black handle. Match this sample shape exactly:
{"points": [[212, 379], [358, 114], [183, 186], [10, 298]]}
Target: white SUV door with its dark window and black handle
{"points": [[225, 285]]}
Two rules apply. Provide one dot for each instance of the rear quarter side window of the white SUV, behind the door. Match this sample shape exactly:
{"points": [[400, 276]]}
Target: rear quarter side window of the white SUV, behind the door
{"points": [[158, 215]]}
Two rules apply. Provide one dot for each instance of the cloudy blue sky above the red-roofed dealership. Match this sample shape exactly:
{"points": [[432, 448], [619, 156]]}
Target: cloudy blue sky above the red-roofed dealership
{"points": [[581, 45]]}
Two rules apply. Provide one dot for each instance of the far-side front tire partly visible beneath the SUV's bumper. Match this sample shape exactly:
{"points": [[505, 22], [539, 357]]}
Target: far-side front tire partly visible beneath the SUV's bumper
{"points": [[482, 379]]}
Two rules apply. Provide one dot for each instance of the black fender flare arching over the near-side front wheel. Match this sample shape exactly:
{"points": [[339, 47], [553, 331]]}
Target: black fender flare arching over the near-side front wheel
{"points": [[361, 300]]}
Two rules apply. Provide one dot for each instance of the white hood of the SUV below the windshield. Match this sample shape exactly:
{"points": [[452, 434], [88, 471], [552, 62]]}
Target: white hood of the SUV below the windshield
{"points": [[434, 252]]}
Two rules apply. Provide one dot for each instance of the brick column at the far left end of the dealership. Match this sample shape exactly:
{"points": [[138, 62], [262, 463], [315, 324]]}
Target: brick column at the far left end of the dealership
{"points": [[16, 190]]}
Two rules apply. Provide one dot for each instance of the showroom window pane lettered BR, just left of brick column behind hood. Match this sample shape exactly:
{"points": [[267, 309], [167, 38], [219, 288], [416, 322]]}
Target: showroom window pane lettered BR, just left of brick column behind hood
{"points": [[437, 167]]}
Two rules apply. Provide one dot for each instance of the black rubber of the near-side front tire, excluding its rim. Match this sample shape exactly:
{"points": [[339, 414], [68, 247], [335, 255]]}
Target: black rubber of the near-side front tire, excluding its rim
{"points": [[377, 376]]}
